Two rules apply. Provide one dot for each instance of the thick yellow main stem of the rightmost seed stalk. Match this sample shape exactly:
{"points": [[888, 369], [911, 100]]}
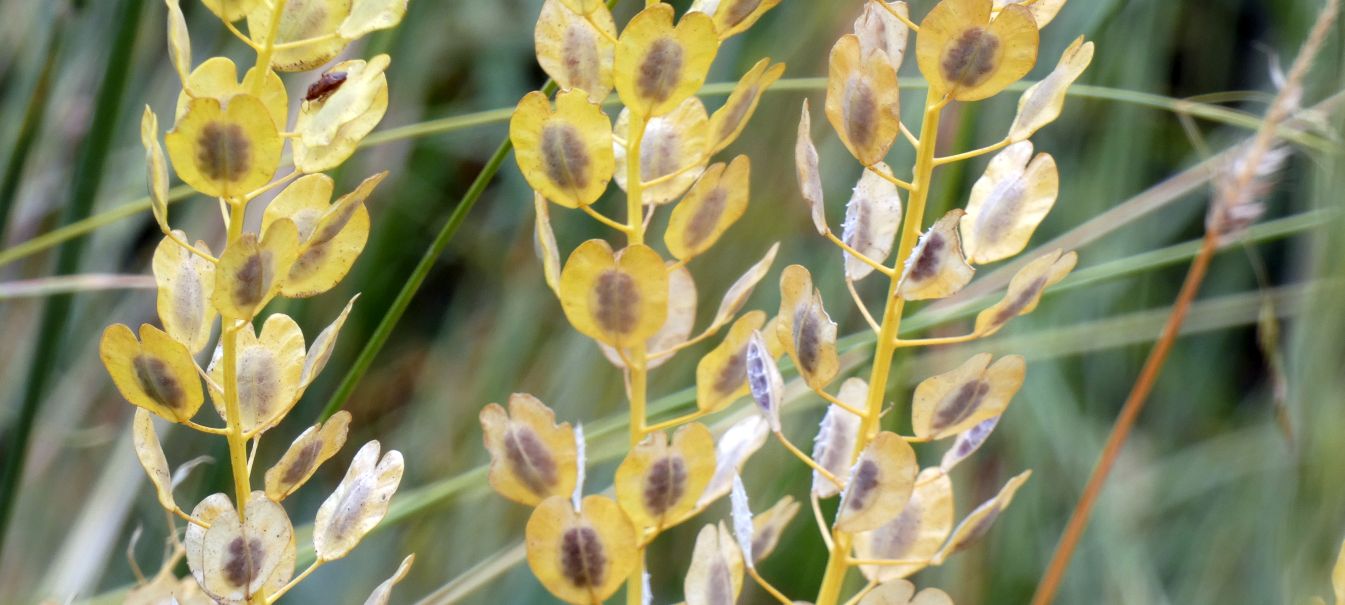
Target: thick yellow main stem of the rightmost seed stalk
{"points": [[839, 561]]}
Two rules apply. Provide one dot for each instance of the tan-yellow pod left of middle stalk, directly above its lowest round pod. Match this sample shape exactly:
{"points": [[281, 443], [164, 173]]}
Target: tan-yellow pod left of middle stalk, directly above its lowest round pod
{"points": [[532, 456]]}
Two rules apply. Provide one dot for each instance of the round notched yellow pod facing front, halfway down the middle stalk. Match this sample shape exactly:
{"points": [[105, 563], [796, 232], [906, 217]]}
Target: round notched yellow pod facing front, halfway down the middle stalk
{"points": [[615, 299]]}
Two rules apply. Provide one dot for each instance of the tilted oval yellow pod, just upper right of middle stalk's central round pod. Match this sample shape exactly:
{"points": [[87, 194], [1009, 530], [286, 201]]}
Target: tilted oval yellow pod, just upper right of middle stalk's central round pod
{"points": [[714, 205]]}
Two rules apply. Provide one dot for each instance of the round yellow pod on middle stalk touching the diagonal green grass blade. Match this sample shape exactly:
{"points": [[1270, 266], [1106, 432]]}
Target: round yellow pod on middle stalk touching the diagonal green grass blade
{"points": [[564, 154]]}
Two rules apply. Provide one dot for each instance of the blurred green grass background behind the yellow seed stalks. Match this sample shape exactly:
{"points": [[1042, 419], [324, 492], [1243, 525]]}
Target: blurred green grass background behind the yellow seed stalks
{"points": [[1217, 499]]}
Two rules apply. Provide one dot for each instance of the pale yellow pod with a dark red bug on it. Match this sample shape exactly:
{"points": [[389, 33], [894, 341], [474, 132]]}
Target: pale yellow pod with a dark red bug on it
{"points": [[333, 126]]}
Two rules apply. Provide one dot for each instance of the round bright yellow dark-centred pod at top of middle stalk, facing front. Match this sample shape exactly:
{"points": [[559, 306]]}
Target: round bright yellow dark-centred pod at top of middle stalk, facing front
{"points": [[660, 65]]}
